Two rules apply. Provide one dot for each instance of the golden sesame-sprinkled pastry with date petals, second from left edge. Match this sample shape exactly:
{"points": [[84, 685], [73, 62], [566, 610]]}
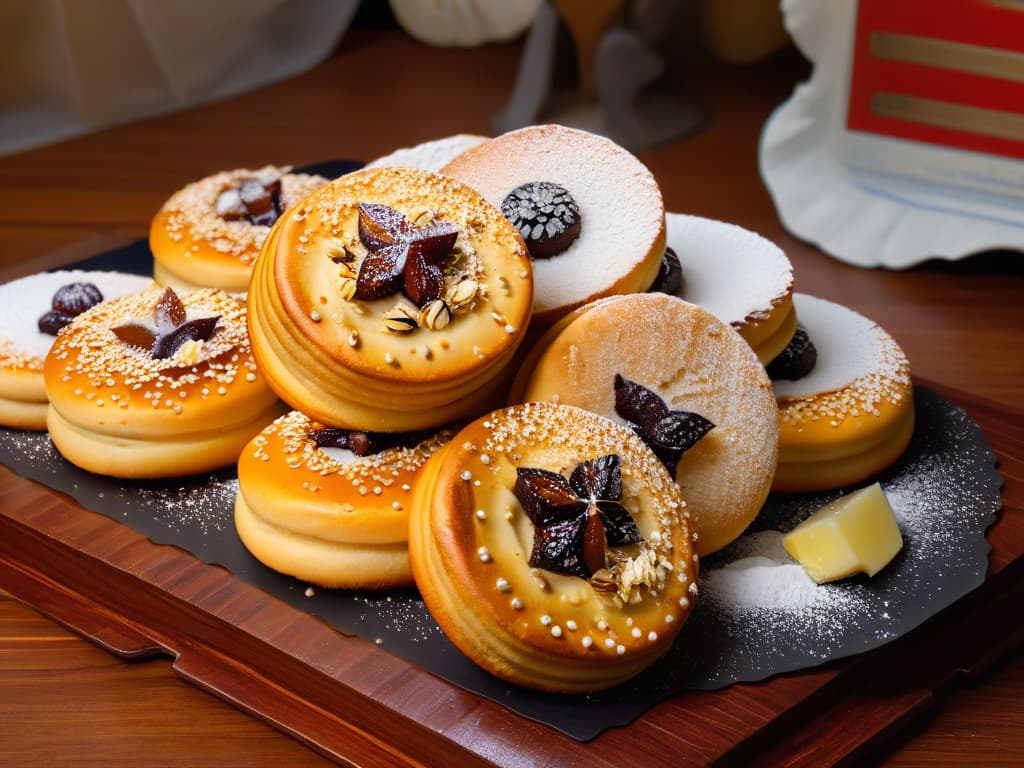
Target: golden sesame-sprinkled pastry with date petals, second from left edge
{"points": [[147, 387]]}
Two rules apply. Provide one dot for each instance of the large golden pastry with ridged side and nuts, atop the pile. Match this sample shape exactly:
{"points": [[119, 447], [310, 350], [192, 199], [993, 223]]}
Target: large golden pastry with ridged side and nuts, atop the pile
{"points": [[393, 300]]}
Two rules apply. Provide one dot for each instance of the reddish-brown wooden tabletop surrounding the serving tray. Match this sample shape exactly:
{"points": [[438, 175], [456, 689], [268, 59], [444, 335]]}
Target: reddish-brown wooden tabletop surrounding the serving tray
{"points": [[65, 702]]}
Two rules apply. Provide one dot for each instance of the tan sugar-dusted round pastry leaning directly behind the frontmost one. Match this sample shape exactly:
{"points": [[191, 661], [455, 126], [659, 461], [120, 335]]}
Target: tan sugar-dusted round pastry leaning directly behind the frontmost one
{"points": [[694, 363]]}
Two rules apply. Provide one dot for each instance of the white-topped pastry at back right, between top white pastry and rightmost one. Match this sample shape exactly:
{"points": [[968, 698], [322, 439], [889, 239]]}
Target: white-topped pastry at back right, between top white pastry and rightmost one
{"points": [[740, 277]]}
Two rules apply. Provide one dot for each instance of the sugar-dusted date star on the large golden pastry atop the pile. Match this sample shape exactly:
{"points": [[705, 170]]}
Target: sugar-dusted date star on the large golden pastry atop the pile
{"points": [[403, 258]]}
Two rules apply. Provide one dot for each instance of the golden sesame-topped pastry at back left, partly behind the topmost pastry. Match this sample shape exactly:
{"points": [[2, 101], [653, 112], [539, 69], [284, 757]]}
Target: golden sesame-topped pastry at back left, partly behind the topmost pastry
{"points": [[208, 236]]}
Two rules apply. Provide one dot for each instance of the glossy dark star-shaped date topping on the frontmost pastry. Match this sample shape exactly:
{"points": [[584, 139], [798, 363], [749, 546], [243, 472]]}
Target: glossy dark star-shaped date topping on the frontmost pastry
{"points": [[576, 521]]}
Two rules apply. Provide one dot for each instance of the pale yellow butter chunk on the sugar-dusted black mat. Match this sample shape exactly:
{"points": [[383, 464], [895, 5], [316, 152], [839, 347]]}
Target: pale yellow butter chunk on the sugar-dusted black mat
{"points": [[856, 534]]}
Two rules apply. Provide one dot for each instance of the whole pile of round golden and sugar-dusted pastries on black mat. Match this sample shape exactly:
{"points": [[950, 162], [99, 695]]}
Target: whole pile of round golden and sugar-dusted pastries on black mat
{"points": [[495, 368]]}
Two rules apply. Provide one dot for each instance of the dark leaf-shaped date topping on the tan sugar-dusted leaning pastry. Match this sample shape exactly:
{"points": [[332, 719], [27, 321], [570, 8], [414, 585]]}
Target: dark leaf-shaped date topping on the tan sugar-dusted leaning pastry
{"points": [[669, 434]]}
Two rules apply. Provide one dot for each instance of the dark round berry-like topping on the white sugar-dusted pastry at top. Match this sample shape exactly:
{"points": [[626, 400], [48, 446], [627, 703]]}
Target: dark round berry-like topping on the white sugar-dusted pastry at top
{"points": [[546, 216]]}
